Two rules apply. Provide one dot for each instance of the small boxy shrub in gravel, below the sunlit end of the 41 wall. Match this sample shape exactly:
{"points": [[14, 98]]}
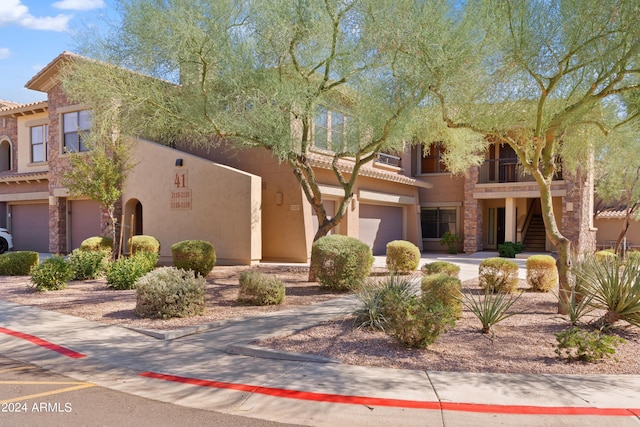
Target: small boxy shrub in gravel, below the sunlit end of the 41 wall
{"points": [[260, 289]]}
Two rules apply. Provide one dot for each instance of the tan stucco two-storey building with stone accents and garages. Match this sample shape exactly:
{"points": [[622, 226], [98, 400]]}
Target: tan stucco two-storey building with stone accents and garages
{"points": [[251, 207]]}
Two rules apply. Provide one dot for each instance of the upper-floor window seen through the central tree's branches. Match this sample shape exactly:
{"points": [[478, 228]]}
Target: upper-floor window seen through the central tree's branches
{"points": [[332, 129]]}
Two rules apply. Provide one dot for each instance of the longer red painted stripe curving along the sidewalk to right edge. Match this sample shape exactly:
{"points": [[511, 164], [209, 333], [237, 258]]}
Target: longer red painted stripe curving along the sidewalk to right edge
{"points": [[398, 403]]}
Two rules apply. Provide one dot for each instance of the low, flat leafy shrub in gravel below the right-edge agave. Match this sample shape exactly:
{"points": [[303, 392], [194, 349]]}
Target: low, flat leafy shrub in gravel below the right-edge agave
{"points": [[577, 344]]}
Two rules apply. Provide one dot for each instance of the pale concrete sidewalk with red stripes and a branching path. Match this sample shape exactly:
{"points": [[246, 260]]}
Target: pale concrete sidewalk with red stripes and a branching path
{"points": [[200, 371]]}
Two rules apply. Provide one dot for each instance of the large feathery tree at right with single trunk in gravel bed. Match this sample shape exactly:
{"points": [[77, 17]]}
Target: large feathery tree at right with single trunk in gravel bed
{"points": [[548, 79]]}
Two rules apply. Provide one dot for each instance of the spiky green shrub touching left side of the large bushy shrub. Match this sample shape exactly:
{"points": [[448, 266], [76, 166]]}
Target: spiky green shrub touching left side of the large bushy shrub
{"points": [[374, 300]]}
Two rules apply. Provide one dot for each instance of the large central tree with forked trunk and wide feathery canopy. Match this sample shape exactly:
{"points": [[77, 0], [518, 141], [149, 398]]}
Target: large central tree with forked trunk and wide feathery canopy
{"points": [[257, 73]]}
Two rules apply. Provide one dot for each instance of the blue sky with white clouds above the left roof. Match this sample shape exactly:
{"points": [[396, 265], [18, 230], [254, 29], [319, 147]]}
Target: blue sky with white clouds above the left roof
{"points": [[34, 32]]}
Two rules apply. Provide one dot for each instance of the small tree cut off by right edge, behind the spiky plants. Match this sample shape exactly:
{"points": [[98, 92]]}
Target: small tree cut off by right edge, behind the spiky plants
{"points": [[618, 175]]}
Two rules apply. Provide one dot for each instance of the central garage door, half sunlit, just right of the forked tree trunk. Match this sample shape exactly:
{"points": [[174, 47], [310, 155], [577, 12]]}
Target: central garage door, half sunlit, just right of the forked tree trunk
{"points": [[379, 225]]}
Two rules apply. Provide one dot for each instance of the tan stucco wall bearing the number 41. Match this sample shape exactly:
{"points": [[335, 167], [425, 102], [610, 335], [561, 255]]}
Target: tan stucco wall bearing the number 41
{"points": [[200, 200]]}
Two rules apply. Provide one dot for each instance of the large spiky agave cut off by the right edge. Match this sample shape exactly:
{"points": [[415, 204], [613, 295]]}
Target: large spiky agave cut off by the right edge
{"points": [[613, 286]]}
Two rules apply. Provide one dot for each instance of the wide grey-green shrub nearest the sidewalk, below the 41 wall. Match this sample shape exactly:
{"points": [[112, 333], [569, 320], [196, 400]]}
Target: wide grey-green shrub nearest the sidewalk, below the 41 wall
{"points": [[170, 292]]}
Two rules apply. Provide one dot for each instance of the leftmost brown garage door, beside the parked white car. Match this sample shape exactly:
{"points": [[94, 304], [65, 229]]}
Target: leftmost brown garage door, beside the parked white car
{"points": [[30, 227]]}
